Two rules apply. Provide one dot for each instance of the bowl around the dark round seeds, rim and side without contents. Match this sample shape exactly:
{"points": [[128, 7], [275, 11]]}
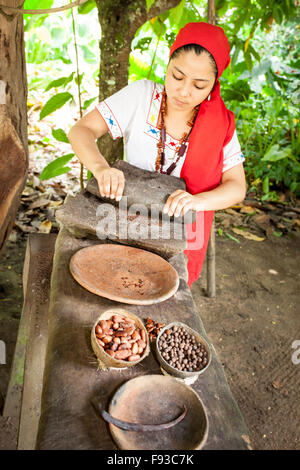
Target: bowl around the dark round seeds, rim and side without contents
{"points": [[172, 370]]}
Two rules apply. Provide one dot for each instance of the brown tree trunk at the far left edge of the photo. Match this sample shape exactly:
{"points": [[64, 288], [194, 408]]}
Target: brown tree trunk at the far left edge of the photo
{"points": [[13, 117]]}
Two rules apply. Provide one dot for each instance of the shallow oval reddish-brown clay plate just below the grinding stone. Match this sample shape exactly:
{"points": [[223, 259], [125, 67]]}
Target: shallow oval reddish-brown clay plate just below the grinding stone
{"points": [[124, 274]]}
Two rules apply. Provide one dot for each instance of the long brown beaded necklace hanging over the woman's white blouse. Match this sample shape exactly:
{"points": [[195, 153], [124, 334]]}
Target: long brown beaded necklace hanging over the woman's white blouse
{"points": [[180, 150]]}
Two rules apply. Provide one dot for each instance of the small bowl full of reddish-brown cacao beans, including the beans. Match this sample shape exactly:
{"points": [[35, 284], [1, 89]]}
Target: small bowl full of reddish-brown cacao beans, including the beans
{"points": [[119, 339]]}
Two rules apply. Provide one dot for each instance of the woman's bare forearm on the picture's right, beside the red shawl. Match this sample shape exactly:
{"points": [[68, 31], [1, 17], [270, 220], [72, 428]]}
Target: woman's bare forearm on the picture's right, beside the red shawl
{"points": [[225, 195]]}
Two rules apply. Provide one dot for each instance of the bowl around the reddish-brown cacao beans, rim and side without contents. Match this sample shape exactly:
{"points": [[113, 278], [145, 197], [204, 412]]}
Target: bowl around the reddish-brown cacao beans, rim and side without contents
{"points": [[105, 358]]}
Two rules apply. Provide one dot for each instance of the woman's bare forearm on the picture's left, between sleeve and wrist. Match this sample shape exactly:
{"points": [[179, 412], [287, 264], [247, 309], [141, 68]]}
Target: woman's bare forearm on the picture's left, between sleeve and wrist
{"points": [[85, 147]]}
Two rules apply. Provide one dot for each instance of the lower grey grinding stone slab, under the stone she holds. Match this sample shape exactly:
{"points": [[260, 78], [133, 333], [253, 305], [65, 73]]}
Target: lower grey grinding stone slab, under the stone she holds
{"points": [[86, 216]]}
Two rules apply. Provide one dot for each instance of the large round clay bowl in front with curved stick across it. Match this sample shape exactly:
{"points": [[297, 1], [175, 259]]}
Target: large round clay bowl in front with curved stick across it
{"points": [[165, 397]]}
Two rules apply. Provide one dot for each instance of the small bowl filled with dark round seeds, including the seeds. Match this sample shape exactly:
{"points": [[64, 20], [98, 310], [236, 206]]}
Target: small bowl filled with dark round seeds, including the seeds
{"points": [[181, 351]]}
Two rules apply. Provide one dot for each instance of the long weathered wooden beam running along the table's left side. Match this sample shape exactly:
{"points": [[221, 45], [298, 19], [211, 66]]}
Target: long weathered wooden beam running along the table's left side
{"points": [[23, 398]]}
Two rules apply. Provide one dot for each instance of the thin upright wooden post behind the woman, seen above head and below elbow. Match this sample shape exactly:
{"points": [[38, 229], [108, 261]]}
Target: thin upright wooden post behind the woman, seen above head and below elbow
{"points": [[211, 249]]}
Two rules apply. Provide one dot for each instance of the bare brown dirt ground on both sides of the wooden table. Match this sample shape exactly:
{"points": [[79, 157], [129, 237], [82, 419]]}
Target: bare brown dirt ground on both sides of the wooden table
{"points": [[252, 323]]}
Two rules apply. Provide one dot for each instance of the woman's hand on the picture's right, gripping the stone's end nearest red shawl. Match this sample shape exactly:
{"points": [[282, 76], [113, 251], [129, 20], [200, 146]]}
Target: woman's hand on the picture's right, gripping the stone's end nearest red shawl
{"points": [[180, 202]]}
